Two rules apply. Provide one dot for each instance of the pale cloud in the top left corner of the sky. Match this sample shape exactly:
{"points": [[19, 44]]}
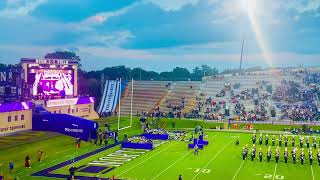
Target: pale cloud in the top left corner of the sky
{"points": [[17, 8]]}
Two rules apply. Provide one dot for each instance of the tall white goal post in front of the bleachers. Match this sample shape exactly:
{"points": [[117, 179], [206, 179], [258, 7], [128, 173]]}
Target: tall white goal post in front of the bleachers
{"points": [[119, 105]]}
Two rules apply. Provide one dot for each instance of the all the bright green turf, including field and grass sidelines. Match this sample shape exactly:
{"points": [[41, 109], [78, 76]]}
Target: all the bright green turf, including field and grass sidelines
{"points": [[221, 159]]}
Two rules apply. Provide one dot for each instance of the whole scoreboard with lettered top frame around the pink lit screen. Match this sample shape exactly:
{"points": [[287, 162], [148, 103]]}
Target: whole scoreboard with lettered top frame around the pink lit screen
{"points": [[51, 78]]}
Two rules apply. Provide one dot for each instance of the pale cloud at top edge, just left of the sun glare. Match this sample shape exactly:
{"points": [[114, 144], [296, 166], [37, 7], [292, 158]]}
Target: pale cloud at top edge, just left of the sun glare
{"points": [[172, 5]]}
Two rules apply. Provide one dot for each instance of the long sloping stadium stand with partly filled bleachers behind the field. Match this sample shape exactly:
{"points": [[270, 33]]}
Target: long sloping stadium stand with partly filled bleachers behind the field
{"points": [[254, 96]]}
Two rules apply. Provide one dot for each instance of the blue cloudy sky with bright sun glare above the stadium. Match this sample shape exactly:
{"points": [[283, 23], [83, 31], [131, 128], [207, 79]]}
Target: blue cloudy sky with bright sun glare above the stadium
{"points": [[161, 34]]}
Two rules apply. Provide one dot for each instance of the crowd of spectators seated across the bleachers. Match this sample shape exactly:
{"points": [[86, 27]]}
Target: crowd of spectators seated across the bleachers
{"points": [[292, 98]]}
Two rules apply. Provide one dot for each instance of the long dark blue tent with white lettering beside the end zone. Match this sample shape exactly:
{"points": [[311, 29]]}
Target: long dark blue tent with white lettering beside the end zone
{"points": [[65, 124]]}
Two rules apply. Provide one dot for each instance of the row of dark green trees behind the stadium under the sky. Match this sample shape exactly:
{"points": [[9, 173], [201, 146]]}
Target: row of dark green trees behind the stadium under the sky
{"points": [[89, 82]]}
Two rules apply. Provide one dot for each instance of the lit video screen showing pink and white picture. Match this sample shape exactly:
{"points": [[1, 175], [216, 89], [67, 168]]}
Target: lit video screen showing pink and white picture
{"points": [[51, 82]]}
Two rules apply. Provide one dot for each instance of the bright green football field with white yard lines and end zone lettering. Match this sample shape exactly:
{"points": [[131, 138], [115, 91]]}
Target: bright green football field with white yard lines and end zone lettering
{"points": [[221, 159]]}
